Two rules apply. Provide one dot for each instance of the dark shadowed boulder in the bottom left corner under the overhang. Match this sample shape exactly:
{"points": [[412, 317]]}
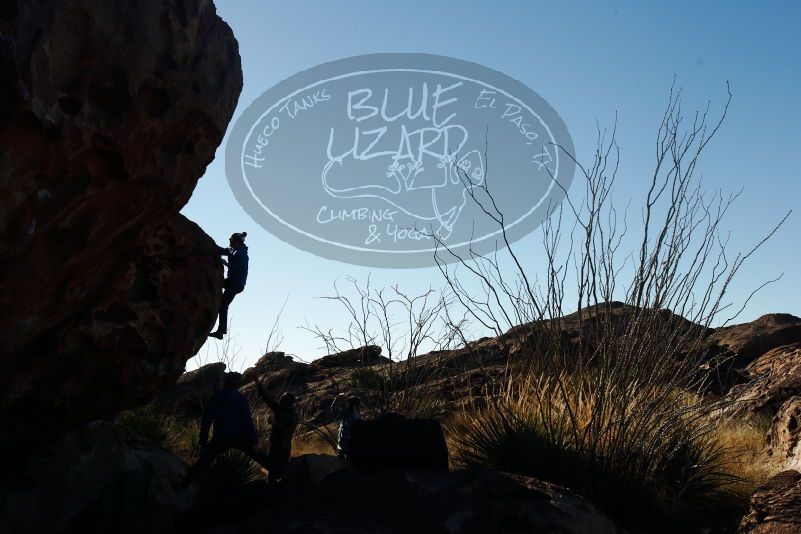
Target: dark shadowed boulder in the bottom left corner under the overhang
{"points": [[93, 480]]}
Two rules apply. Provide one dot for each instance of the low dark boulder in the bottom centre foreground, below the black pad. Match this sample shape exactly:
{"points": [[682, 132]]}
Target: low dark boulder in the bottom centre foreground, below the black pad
{"points": [[401, 501]]}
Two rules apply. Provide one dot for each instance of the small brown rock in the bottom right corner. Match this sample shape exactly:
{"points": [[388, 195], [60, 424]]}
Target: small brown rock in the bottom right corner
{"points": [[775, 506]]}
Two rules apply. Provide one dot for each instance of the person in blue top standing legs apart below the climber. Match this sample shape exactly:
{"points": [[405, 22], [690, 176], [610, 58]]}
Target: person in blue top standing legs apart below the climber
{"points": [[228, 412]]}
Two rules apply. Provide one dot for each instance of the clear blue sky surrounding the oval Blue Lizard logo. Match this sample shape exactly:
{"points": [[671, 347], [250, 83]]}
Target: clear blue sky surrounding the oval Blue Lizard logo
{"points": [[590, 60]]}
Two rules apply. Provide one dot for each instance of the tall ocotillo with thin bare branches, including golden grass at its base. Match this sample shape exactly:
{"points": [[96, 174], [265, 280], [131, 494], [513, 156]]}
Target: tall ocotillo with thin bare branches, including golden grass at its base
{"points": [[614, 399]]}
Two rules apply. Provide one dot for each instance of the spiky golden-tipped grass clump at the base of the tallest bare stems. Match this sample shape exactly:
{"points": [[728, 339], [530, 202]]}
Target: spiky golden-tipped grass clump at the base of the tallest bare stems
{"points": [[653, 466]]}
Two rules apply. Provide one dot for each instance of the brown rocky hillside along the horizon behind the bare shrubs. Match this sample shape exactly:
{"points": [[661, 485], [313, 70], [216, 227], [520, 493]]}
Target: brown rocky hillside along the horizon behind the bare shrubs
{"points": [[761, 362]]}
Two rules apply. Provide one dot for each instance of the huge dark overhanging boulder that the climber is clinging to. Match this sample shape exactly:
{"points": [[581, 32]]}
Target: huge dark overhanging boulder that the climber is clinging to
{"points": [[108, 117]]}
